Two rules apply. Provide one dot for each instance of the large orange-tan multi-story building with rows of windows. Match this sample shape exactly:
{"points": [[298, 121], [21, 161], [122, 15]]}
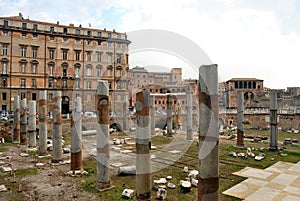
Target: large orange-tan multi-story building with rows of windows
{"points": [[48, 56]]}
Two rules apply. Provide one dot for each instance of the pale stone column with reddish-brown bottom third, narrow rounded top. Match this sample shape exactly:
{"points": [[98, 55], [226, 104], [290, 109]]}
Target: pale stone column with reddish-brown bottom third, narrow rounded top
{"points": [[76, 142]]}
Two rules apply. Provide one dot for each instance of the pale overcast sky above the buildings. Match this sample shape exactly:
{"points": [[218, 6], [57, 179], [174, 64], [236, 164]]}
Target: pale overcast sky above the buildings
{"points": [[246, 38]]}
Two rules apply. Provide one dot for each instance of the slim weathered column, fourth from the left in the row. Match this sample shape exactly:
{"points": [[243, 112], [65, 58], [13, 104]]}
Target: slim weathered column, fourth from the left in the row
{"points": [[43, 123]]}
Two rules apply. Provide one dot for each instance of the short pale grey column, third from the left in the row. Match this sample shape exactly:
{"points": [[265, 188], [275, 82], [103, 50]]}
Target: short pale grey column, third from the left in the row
{"points": [[32, 124]]}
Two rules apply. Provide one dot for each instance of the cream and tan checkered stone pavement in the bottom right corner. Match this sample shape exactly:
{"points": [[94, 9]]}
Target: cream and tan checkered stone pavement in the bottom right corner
{"points": [[279, 182]]}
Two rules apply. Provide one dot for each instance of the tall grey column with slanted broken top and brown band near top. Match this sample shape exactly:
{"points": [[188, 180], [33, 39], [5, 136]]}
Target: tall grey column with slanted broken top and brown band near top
{"points": [[103, 155]]}
